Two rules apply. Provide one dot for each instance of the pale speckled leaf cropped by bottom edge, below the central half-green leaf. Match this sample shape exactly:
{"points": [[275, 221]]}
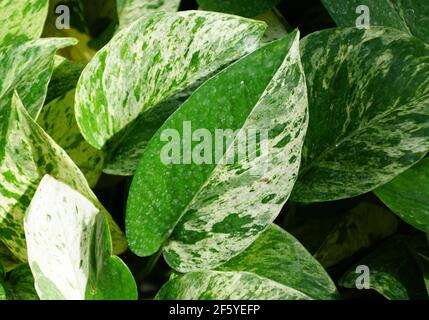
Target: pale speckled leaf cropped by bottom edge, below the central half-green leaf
{"points": [[215, 285]]}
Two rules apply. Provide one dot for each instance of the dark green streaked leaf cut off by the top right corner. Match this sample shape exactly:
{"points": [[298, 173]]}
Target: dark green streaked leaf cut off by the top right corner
{"points": [[410, 16]]}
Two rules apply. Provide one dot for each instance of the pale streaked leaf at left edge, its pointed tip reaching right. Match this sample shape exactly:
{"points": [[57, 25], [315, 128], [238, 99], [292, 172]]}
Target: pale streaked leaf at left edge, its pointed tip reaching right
{"points": [[26, 66]]}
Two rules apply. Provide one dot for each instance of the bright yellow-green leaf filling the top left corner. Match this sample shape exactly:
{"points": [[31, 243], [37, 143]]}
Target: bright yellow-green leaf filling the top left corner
{"points": [[22, 18]]}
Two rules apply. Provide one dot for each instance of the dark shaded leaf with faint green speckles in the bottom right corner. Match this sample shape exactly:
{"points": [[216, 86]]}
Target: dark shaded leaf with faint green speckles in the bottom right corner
{"points": [[394, 272]]}
